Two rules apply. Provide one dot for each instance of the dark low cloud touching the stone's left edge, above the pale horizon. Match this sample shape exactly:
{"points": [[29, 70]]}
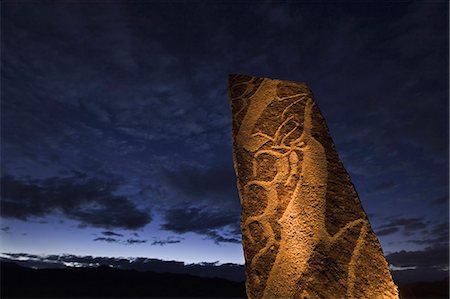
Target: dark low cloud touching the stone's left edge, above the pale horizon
{"points": [[218, 225]]}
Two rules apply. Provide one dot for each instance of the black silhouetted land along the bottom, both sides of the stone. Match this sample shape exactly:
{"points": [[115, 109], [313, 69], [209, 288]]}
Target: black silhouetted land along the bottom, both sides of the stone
{"points": [[105, 282]]}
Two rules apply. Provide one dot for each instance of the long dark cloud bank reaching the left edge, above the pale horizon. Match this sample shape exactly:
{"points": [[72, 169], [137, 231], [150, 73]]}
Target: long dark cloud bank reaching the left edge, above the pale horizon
{"points": [[92, 201]]}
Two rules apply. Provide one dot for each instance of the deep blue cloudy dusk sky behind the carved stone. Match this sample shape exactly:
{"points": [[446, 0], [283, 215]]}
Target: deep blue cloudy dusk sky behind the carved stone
{"points": [[116, 124]]}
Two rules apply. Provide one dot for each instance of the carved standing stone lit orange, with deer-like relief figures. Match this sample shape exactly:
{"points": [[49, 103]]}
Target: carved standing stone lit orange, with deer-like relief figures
{"points": [[304, 231]]}
